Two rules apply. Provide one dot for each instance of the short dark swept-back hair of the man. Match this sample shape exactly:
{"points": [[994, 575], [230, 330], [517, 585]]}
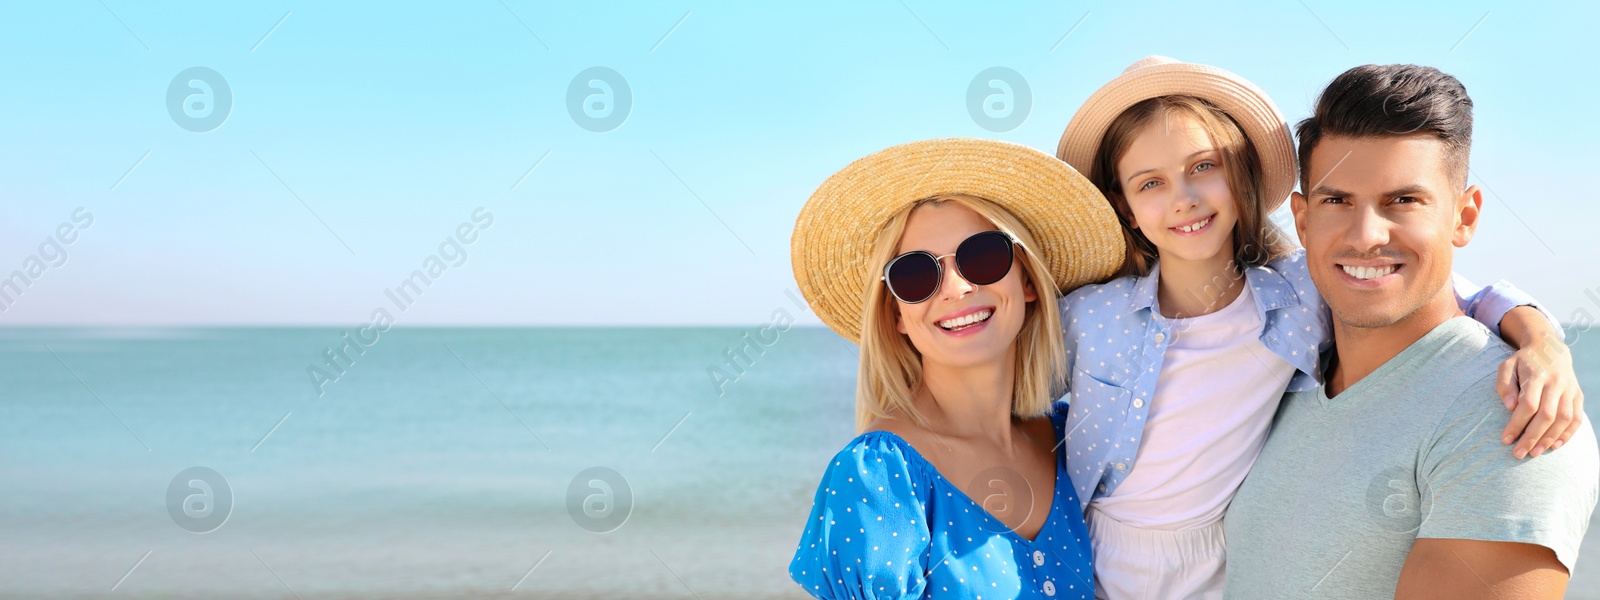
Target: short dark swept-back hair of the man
{"points": [[1393, 100]]}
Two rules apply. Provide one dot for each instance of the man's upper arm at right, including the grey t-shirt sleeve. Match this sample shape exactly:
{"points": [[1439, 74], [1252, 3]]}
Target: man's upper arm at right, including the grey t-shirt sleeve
{"points": [[1495, 526]]}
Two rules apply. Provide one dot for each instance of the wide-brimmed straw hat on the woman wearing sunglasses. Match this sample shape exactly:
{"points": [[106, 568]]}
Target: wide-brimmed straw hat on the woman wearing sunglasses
{"points": [[1073, 223]]}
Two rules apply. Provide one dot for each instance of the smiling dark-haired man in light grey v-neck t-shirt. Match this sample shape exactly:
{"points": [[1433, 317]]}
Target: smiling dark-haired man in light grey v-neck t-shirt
{"points": [[1391, 481]]}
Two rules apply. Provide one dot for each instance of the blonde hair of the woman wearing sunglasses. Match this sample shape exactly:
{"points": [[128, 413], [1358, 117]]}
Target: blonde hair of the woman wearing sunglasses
{"points": [[892, 367]]}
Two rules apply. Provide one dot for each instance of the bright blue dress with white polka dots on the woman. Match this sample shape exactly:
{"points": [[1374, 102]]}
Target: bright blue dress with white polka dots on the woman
{"points": [[886, 524]]}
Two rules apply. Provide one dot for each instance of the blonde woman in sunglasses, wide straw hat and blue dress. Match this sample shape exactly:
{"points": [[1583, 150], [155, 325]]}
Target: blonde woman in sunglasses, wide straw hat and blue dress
{"points": [[943, 260]]}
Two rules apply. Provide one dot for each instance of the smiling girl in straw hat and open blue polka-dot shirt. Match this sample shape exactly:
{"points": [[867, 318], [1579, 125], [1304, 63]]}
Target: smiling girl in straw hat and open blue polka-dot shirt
{"points": [[1177, 367]]}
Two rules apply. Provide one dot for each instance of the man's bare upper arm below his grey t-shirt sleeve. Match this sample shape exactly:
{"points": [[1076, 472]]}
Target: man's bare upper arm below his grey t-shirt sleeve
{"points": [[1471, 569]]}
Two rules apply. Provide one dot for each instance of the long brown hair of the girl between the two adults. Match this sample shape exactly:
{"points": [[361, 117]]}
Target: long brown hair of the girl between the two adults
{"points": [[1257, 241]]}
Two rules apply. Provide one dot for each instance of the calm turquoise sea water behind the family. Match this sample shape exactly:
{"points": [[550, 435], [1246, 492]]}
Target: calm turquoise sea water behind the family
{"points": [[439, 465]]}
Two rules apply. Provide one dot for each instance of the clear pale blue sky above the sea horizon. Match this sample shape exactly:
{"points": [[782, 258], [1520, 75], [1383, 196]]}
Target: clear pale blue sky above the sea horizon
{"points": [[358, 138]]}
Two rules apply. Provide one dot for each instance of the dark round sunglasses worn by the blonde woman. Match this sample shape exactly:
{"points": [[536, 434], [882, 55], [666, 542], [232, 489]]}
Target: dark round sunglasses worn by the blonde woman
{"points": [[982, 260]]}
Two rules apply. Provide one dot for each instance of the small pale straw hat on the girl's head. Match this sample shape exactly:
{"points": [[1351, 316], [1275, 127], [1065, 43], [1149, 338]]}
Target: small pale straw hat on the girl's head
{"points": [[1161, 76]]}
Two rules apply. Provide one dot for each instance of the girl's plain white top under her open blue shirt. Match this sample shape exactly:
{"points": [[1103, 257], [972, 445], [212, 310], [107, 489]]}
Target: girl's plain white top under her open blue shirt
{"points": [[1209, 418]]}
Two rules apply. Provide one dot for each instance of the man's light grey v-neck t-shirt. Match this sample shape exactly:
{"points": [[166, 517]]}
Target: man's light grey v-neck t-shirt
{"points": [[1346, 486]]}
